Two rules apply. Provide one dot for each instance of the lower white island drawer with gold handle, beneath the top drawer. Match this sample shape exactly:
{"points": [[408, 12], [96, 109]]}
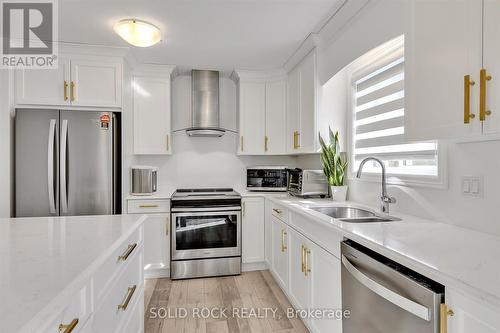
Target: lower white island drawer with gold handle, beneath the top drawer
{"points": [[117, 305]]}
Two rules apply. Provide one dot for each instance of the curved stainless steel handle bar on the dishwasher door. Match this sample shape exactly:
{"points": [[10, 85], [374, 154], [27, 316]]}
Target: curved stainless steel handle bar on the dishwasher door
{"points": [[396, 299]]}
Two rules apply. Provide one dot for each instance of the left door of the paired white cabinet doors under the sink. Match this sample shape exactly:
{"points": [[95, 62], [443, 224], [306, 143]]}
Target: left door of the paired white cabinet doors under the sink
{"points": [[300, 284]]}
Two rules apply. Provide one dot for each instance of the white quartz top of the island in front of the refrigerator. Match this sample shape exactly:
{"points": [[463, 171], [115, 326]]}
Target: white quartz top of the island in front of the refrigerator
{"points": [[43, 260]]}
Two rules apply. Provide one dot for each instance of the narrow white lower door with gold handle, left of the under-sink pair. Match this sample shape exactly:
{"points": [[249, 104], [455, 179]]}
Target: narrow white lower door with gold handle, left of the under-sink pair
{"points": [[280, 254]]}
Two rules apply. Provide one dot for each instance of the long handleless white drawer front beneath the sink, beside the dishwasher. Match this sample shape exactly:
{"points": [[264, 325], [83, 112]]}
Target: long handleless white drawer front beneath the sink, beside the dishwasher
{"points": [[322, 235]]}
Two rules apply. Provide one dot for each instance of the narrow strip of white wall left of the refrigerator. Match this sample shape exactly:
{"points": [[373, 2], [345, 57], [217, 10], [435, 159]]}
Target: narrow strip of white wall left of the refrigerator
{"points": [[6, 152]]}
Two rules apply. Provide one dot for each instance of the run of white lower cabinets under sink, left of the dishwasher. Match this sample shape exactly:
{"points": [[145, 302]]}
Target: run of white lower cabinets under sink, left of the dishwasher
{"points": [[307, 273]]}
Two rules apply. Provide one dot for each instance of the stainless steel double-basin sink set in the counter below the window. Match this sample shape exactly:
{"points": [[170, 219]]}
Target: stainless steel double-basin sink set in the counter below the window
{"points": [[353, 215]]}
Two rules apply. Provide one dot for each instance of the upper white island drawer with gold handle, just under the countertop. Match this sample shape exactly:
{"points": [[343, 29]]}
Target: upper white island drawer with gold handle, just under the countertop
{"points": [[114, 265]]}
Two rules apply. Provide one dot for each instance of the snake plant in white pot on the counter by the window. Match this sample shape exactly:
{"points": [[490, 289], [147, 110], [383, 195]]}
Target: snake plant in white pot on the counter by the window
{"points": [[334, 166]]}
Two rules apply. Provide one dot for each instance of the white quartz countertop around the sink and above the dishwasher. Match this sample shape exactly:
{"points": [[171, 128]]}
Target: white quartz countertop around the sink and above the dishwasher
{"points": [[453, 256]]}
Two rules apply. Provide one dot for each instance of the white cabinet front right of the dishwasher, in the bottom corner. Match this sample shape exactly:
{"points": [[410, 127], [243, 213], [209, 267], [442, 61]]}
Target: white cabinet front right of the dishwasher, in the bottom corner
{"points": [[470, 315]]}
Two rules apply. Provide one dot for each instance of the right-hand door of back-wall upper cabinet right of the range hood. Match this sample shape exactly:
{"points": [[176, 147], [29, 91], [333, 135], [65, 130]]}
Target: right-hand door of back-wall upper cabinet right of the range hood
{"points": [[275, 117]]}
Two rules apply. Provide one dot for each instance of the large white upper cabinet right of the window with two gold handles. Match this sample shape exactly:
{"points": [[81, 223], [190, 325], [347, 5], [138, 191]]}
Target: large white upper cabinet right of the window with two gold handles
{"points": [[443, 83]]}
